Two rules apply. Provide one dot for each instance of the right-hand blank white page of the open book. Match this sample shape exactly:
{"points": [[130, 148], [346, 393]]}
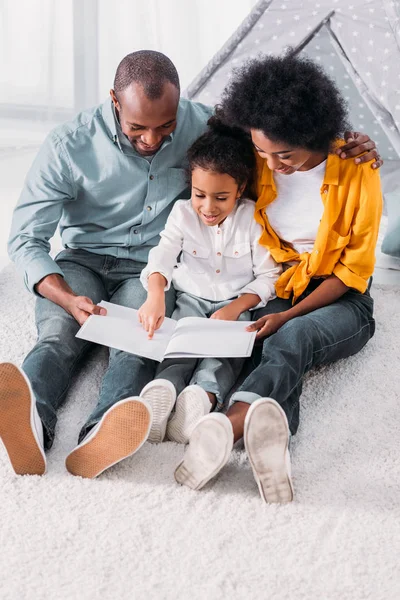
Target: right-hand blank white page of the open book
{"points": [[199, 337]]}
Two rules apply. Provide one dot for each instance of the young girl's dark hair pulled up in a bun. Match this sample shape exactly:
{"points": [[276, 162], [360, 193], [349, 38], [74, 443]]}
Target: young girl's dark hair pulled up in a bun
{"points": [[224, 149]]}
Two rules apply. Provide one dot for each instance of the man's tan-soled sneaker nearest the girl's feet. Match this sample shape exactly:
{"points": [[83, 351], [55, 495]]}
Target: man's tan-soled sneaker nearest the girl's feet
{"points": [[122, 430]]}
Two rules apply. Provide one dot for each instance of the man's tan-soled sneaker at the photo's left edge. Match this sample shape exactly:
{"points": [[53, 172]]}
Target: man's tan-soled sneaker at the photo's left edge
{"points": [[21, 429]]}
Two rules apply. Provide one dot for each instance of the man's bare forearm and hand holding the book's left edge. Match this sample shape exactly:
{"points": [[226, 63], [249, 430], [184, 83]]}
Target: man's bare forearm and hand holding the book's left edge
{"points": [[55, 288]]}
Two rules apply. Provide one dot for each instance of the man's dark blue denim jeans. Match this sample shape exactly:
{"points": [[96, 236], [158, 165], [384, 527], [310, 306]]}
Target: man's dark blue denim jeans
{"points": [[51, 363]]}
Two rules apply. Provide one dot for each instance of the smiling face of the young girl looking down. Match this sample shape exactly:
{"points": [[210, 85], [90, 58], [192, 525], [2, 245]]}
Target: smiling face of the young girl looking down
{"points": [[214, 195]]}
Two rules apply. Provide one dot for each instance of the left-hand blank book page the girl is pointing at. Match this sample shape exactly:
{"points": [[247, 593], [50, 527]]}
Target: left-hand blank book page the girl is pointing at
{"points": [[121, 329]]}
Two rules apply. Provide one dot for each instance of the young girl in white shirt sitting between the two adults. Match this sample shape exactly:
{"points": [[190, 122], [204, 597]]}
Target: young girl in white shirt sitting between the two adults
{"points": [[222, 273]]}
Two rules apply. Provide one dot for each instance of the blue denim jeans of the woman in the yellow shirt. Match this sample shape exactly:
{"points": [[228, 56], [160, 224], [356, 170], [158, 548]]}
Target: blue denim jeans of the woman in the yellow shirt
{"points": [[320, 337]]}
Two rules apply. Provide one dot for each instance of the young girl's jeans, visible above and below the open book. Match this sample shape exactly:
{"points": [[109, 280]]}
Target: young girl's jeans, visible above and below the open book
{"points": [[214, 375]]}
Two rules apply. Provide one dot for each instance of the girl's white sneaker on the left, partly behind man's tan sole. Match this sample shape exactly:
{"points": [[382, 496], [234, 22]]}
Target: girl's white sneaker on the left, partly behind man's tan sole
{"points": [[161, 396]]}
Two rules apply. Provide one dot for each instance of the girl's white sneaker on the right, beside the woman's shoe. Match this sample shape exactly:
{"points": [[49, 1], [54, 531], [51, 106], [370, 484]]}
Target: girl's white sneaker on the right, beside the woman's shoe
{"points": [[192, 404]]}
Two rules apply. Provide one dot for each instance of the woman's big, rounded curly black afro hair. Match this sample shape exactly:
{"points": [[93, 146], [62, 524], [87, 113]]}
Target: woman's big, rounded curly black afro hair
{"points": [[290, 99]]}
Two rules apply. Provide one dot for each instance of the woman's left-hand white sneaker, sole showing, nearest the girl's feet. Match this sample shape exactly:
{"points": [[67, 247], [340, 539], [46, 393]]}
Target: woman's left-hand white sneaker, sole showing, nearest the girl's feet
{"points": [[210, 446]]}
